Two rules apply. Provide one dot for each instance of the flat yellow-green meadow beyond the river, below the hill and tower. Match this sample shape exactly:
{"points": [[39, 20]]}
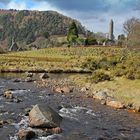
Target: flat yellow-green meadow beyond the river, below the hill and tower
{"points": [[54, 58]]}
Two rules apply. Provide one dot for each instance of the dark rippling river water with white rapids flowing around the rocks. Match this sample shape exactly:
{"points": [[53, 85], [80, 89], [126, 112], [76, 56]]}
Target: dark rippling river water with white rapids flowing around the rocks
{"points": [[83, 118]]}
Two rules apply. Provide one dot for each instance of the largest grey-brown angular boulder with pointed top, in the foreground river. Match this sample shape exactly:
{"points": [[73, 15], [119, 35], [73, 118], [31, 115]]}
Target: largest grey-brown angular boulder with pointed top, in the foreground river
{"points": [[43, 116]]}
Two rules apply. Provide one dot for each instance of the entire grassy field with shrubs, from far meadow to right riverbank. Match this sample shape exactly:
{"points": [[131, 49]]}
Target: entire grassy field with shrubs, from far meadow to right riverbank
{"points": [[115, 69]]}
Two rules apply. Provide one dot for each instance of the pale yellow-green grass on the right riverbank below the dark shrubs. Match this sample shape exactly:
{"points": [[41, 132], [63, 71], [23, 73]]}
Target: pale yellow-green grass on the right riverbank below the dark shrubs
{"points": [[124, 90]]}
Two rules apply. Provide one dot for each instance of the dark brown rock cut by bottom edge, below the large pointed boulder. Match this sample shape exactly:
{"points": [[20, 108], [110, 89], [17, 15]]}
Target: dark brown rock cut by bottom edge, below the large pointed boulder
{"points": [[26, 134]]}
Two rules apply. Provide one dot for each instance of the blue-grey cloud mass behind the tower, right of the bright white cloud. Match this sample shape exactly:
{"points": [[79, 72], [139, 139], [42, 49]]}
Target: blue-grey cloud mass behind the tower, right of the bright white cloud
{"points": [[96, 14]]}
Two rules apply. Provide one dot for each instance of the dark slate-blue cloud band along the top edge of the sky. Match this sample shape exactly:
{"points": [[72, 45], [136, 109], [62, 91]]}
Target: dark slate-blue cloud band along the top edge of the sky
{"points": [[95, 5]]}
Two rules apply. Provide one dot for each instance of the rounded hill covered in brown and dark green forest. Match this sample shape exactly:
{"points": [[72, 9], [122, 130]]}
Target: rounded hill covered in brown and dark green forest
{"points": [[25, 27]]}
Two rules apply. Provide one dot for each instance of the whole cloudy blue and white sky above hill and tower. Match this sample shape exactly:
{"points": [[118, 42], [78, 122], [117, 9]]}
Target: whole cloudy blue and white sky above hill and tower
{"points": [[95, 15]]}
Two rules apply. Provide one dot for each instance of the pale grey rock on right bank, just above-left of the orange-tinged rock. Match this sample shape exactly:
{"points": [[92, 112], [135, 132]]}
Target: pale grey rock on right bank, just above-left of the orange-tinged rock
{"points": [[100, 95]]}
